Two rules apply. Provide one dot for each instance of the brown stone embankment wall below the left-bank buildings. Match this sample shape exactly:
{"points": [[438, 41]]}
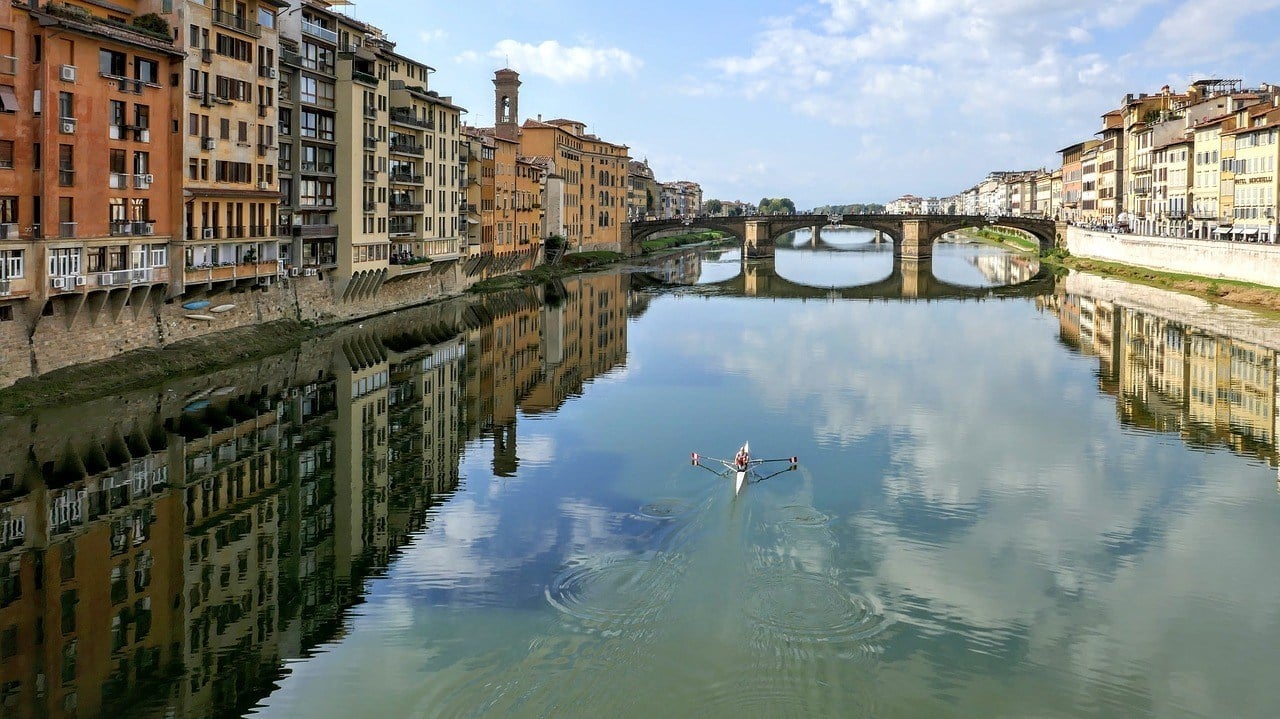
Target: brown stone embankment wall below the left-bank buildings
{"points": [[100, 328]]}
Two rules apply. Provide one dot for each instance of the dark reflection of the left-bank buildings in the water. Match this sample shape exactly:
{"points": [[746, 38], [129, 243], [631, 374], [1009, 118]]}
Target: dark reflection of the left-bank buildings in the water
{"points": [[164, 557]]}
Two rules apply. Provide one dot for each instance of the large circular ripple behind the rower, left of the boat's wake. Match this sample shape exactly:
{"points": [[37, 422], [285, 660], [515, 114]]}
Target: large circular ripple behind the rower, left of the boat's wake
{"points": [[615, 590]]}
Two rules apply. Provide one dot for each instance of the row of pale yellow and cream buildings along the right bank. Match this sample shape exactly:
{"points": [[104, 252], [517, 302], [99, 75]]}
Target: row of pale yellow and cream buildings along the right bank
{"points": [[1199, 164]]}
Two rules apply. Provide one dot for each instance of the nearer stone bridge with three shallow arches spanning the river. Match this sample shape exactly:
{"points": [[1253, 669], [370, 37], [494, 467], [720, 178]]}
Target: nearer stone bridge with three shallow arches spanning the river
{"points": [[913, 236]]}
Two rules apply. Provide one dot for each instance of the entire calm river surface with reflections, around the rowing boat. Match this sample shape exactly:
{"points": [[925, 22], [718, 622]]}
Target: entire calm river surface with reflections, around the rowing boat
{"points": [[1054, 505]]}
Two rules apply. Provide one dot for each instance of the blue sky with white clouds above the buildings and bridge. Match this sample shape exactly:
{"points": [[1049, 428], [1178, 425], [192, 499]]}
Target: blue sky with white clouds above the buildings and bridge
{"points": [[831, 102]]}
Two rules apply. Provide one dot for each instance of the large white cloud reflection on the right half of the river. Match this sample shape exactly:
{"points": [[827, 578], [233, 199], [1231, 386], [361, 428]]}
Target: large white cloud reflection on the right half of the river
{"points": [[1105, 548]]}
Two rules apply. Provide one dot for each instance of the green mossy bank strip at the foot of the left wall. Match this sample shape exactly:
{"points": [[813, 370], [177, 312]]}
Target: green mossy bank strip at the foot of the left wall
{"points": [[152, 367]]}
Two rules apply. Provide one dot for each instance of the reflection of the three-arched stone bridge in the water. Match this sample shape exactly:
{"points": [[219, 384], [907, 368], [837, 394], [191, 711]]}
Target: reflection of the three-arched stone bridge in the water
{"points": [[909, 280]]}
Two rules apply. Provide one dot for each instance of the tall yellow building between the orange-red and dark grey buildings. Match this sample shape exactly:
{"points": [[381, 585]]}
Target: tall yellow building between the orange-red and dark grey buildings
{"points": [[230, 195]]}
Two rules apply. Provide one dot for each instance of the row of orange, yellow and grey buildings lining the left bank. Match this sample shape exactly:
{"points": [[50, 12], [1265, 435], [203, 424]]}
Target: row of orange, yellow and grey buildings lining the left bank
{"points": [[173, 150]]}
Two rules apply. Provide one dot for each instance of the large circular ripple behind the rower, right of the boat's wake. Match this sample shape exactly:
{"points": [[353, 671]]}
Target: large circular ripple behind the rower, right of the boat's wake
{"points": [[806, 607]]}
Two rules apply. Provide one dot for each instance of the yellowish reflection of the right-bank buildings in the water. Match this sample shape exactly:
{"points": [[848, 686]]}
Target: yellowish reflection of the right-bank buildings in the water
{"points": [[1172, 377]]}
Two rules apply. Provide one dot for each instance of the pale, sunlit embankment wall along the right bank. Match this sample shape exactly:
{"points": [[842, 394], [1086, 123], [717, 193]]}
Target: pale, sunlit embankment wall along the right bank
{"points": [[1255, 263]]}
